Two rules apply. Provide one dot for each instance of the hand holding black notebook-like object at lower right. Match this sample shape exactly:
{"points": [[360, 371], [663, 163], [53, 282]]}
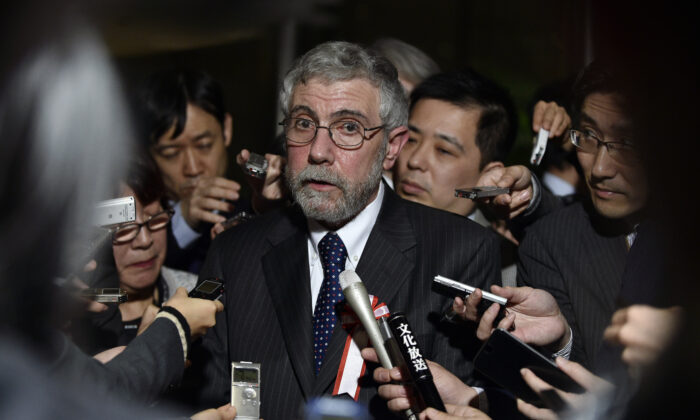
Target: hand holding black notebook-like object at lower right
{"points": [[593, 385]]}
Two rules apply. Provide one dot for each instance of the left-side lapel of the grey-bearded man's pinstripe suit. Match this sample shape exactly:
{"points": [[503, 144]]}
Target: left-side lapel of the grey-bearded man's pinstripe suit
{"points": [[287, 276]]}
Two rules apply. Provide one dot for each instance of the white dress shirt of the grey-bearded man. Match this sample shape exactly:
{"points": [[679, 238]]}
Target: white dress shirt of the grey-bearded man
{"points": [[354, 235]]}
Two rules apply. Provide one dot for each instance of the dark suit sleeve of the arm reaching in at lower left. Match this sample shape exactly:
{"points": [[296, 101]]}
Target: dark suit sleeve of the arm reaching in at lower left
{"points": [[150, 364]]}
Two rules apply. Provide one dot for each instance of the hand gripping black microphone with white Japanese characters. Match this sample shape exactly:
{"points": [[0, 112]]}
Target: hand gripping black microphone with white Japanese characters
{"points": [[401, 397]]}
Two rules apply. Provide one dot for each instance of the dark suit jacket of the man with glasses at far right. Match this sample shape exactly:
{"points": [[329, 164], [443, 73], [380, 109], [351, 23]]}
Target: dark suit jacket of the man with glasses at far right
{"points": [[579, 257]]}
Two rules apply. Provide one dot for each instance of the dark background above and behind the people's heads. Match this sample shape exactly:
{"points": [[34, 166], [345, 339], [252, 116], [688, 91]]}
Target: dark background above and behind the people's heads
{"points": [[523, 45]]}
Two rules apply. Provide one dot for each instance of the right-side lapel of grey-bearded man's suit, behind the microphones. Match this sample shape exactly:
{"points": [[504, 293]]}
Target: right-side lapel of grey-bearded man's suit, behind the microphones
{"points": [[386, 263]]}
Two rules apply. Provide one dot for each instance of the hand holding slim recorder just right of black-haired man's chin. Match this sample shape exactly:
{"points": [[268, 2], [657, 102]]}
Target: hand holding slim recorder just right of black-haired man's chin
{"points": [[507, 206]]}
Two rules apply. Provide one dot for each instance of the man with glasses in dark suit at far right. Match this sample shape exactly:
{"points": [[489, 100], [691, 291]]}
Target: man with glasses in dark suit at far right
{"points": [[578, 253]]}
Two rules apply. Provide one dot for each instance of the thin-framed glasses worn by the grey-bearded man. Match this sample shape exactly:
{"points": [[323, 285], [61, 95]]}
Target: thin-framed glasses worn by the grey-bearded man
{"points": [[346, 134]]}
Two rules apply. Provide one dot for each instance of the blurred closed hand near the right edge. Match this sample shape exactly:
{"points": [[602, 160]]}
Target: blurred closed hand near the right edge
{"points": [[643, 331]]}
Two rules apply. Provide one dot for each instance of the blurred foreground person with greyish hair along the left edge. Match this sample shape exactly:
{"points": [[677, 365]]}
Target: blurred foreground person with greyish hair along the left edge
{"points": [[65, 134]]}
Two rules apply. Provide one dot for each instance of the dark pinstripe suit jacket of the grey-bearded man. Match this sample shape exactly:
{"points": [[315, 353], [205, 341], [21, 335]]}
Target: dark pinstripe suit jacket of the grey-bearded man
{"points": [[268, 315]]}
